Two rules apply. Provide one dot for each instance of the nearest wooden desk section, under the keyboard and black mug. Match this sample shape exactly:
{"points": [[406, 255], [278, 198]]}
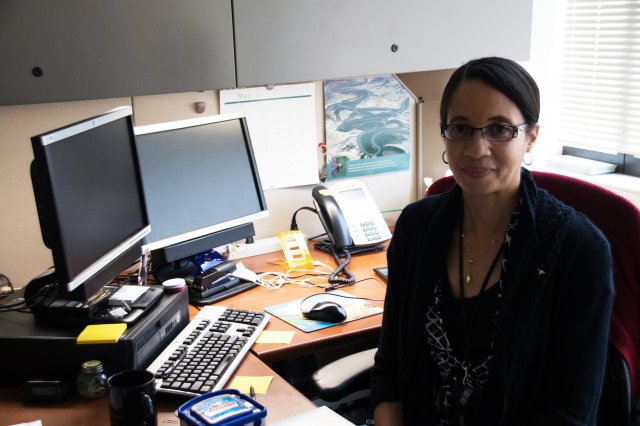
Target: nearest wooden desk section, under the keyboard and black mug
{"points": [[282, 400]]}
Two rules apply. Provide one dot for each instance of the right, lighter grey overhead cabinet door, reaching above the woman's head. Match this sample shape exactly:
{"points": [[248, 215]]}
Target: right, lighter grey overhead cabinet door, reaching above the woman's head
{"points": [[279, 41]]}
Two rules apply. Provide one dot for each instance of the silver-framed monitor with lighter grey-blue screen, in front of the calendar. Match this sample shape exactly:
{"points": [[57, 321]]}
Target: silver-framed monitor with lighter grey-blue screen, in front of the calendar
{"points": [[201, 184]]}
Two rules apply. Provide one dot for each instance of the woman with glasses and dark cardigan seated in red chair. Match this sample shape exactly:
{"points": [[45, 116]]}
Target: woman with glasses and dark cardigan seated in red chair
{"points": [[499, 297]]}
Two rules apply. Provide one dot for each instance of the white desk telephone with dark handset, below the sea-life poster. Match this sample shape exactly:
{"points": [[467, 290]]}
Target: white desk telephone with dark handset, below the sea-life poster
{"points": [[350, 215]]}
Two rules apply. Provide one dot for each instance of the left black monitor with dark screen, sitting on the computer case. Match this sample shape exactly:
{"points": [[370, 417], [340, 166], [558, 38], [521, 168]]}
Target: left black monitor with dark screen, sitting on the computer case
{"points": [[90, 201]]}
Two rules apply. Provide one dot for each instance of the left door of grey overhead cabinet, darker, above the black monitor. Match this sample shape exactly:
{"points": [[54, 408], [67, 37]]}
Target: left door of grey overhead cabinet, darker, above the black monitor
{"points": [[62, 50]]}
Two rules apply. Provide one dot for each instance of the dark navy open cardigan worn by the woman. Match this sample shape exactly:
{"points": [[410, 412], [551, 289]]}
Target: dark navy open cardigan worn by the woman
{"points": [[551, 335]]}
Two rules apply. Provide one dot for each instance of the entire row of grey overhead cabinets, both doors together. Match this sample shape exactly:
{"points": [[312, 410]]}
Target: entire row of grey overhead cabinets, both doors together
{"points": [[63, 50]]}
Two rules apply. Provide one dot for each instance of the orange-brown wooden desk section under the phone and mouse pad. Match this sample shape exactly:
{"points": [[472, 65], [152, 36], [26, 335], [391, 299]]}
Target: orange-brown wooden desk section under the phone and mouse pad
{"points": [[257, 299]]}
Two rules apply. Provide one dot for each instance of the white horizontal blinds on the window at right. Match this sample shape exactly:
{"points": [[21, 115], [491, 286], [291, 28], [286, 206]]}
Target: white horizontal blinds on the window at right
{"points": [[600, 89]]}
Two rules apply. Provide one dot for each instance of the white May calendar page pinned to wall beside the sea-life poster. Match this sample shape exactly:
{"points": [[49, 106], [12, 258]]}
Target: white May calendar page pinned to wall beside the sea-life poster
{"points": [[282, 125]]}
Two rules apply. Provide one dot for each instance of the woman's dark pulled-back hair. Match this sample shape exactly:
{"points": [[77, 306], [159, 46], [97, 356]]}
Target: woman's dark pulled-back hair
{"points": [[504, 75]]}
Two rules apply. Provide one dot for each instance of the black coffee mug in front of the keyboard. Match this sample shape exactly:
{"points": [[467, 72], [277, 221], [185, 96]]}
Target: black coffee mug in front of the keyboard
{"points": [[132, 398]]}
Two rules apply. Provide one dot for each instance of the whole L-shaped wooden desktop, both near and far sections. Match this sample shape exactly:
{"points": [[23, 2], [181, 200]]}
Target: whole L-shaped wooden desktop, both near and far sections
{"points": [[282, 400]]}
